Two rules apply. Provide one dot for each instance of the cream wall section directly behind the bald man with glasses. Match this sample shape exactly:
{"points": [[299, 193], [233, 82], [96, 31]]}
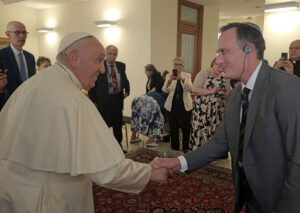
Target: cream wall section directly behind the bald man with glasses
{"points": [[25, 15]]}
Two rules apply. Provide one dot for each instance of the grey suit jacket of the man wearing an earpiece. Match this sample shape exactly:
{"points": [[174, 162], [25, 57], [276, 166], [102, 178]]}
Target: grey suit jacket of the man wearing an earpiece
{"points": [[271, 155]]}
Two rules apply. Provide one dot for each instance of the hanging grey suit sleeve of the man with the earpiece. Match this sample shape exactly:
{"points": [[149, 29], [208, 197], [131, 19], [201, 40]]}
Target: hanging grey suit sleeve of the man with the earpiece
{"points": [[288, 114]]}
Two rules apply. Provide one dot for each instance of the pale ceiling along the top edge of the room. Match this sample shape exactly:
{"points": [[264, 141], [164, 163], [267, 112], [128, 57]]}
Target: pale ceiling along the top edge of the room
{"points": [[227, 8]]}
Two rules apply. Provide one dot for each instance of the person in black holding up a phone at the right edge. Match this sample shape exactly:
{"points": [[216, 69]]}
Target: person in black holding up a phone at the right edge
{"points": [[291, 65]]}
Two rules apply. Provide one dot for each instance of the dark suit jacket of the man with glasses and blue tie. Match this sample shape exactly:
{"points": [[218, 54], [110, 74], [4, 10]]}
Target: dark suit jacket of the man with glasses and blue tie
{"points": [[13, 73]]}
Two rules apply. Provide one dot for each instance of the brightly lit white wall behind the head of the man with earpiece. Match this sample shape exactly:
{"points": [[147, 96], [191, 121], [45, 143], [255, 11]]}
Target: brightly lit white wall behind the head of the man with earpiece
{"points": [[280, 29]]}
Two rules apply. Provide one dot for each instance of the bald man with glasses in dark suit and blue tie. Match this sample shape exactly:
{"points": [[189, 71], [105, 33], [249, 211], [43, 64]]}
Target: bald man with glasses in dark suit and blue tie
{"points": [[19, 63]]}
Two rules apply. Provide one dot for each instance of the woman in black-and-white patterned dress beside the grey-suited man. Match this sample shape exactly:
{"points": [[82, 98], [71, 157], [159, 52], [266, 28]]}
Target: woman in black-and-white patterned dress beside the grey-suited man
{"points": [[210, 89]]}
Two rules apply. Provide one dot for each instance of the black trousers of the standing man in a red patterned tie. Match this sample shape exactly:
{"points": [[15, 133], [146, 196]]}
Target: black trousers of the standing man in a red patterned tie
{"points": [[113, 116]]}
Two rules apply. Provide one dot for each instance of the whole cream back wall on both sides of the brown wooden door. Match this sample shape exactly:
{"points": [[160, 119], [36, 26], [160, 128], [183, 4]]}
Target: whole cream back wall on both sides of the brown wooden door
{"points": [[147, 32]]}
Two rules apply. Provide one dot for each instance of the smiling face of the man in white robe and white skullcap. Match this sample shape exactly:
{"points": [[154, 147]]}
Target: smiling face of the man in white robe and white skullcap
{"points": [[91, 59]]}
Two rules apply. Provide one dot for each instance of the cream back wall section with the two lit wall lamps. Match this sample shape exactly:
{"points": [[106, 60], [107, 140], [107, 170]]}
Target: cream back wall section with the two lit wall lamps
{"points": [[133, 27]]}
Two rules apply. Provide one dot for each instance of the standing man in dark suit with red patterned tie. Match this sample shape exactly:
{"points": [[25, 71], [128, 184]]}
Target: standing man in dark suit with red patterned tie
{"points": [[110, 90]]}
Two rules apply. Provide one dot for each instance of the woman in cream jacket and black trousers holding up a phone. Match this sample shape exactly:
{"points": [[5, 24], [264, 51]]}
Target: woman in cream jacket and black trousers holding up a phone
{"points": [[178, 86]]}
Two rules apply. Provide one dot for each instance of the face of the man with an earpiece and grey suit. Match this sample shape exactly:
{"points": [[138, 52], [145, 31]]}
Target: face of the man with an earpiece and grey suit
{"points": [[230, 57]]}
